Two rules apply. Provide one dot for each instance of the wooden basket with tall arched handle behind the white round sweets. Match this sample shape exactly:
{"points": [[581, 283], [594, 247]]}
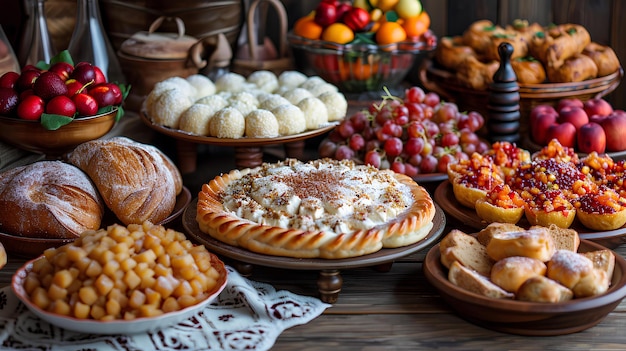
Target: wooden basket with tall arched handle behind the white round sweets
{"points": [[254, 57]]}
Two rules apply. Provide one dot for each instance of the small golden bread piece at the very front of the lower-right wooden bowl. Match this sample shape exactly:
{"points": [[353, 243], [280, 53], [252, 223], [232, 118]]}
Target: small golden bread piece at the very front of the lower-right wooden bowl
{"points": [[543, 289]]}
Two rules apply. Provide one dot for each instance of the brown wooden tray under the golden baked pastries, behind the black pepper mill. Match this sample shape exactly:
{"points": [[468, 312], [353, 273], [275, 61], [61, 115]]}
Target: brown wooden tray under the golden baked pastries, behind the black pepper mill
{"points": [[445, 84]]}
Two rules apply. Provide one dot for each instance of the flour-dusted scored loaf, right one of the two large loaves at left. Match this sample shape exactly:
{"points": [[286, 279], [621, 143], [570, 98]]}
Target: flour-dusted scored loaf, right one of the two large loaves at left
{"points": [[137, 181]]}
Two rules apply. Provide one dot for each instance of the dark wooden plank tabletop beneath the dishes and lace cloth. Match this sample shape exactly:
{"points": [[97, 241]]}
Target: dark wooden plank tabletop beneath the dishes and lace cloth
{"points": [[399, 310]]}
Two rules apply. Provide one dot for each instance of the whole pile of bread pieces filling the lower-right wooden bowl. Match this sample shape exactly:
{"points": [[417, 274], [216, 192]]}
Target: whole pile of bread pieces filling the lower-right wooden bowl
{"points": [[538, 264]]}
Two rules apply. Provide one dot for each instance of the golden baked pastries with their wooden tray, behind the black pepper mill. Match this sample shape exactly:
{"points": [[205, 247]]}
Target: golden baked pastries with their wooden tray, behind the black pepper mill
{"points": [[463, 66]]}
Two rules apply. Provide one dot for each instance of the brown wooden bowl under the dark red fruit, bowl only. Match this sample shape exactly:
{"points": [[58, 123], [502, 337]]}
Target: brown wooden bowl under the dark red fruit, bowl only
{"points": [[32, 136]]}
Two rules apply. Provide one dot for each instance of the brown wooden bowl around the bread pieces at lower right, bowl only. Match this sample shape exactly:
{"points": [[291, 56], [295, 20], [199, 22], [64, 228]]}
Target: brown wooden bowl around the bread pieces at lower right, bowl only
{"points": [[528, 318]]}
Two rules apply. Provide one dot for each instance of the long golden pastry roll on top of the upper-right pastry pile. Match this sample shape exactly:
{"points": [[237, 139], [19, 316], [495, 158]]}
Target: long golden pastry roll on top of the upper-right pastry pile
{"points": [[556, 44]]}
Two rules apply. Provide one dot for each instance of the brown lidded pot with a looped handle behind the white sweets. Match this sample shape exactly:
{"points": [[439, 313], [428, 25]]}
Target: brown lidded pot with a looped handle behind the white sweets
{"points": [[150, 57]]}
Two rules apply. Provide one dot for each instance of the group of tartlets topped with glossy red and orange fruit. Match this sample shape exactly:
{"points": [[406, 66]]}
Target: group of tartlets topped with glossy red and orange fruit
{"points": [[553, 186]]}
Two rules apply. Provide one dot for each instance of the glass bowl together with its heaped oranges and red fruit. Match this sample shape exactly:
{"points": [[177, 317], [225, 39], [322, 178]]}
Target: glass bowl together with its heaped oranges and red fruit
{"points": [[359, 47]]}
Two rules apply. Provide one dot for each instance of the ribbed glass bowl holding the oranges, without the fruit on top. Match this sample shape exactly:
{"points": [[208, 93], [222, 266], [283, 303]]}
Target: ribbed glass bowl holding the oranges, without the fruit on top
{"points": [[356, 68]]}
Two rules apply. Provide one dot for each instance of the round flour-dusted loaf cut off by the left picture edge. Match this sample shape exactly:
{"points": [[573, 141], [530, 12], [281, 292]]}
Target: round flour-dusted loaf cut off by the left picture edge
{"points": [[48, 199]]}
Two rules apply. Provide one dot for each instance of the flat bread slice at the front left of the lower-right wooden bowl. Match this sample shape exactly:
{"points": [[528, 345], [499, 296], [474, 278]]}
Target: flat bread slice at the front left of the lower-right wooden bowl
{"points": [[475, 282]]}
